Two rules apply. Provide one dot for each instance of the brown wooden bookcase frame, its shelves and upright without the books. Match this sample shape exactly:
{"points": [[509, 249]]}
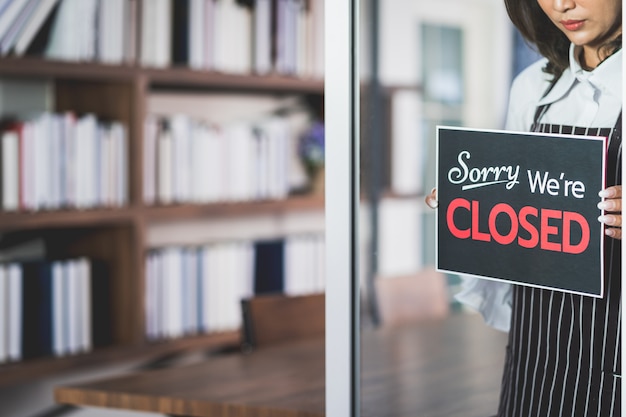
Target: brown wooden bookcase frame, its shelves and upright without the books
{"points": [[118, 235]]}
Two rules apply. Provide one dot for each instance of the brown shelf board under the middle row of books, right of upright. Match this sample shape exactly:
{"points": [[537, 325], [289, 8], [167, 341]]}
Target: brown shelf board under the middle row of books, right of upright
{"points": [[190, 211]]}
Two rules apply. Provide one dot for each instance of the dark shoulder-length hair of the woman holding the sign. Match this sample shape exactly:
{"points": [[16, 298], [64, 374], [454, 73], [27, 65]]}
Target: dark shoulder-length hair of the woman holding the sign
{"points": [[539, 30]]}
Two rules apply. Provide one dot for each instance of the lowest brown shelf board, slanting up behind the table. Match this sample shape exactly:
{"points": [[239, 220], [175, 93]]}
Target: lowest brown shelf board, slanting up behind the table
{"points": [[29, 370]]}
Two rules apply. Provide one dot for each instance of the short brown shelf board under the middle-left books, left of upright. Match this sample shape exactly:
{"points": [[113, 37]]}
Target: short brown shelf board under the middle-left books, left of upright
{"points": [[63, 218]]}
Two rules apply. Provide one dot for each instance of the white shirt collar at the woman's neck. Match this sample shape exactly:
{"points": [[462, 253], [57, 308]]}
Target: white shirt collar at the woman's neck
{"points": [[607, 77]]}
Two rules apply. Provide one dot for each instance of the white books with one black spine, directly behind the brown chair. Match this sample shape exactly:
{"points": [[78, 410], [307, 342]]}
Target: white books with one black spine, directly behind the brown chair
{"points": [[191, 290]]}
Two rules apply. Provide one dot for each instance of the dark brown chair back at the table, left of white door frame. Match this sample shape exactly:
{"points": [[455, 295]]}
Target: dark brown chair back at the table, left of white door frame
{"points": [[278, 318]]}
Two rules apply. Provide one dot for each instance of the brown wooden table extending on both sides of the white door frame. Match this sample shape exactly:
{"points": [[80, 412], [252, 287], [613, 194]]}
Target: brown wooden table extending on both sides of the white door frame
{"points": [[443, 368]]}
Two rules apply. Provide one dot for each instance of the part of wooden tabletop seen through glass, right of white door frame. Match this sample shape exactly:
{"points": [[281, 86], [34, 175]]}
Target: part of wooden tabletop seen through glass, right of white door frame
{"points": [[449, 368]]}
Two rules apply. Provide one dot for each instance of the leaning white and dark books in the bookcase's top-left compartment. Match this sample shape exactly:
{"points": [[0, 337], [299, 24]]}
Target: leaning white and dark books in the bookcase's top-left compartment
{"points": [[79, 30]]}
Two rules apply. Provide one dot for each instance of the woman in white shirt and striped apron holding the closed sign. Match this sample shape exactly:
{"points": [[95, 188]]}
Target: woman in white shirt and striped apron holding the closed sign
{"points": [[563, 356]]}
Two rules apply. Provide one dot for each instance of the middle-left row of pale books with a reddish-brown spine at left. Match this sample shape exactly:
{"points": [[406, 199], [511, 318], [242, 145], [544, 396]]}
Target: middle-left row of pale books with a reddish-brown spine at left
{"points": [[57, 161]]}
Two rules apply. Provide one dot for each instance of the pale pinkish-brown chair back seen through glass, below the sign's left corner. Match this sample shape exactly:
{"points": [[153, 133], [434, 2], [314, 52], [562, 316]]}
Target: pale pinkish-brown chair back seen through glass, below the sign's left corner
{"points": [[420, 296]]}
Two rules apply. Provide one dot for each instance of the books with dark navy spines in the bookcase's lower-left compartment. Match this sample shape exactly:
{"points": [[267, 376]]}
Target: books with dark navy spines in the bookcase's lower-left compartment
{"points": [[53, 308]]}
